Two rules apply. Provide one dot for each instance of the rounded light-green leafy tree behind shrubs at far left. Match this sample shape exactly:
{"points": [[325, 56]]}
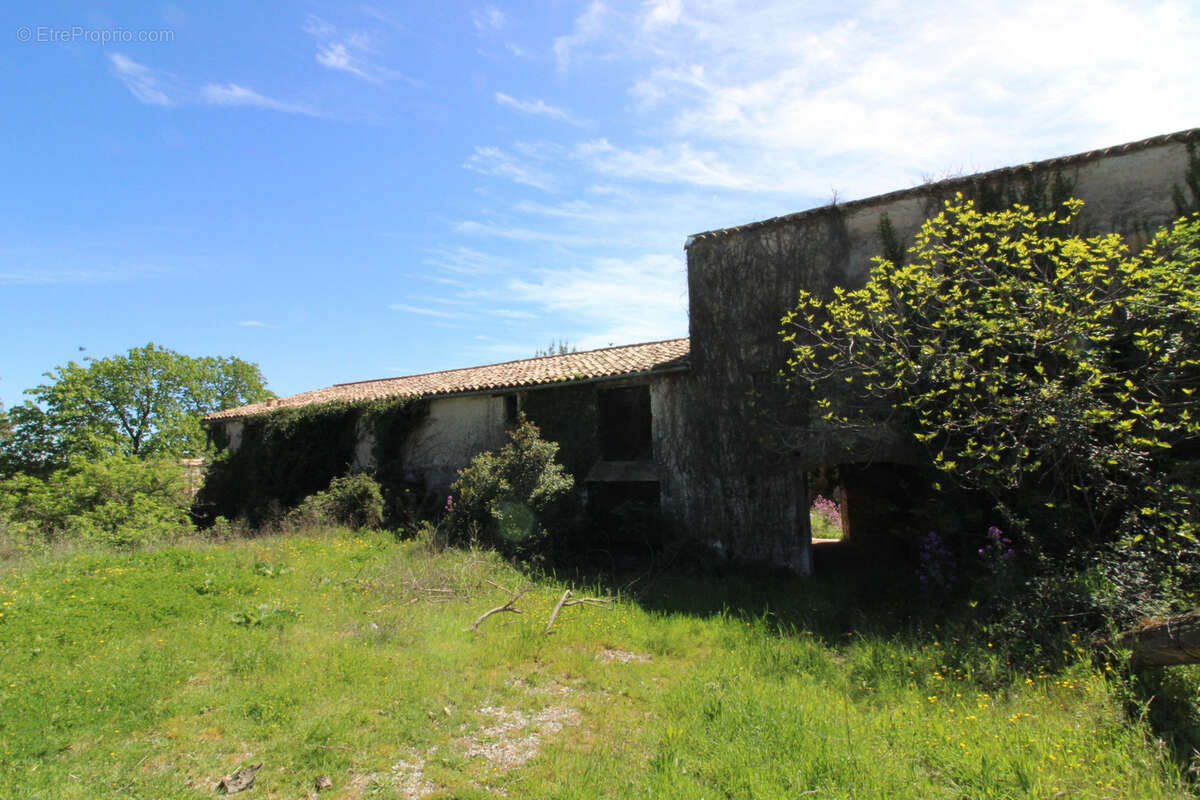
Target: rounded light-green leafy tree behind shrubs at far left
{"points": [[147, 402]]}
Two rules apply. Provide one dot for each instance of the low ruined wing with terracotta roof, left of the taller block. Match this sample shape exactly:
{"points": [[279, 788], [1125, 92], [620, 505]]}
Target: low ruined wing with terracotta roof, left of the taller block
{"points": [[610, 411]]}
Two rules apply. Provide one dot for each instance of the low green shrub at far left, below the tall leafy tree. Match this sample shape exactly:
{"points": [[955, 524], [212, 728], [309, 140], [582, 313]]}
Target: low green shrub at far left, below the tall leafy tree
{"points": [[119, 501]]}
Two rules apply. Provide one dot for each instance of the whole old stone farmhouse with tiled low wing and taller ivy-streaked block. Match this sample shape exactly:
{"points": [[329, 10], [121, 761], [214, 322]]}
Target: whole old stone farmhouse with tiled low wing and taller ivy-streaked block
{"points": [[674, 422]]}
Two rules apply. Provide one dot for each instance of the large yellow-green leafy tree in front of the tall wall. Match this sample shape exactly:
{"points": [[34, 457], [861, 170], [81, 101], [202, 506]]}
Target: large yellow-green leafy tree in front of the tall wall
{"points": [[1055, 374]]}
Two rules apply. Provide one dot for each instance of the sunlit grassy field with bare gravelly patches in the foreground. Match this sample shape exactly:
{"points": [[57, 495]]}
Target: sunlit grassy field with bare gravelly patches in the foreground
{"points": [[345, 655]]}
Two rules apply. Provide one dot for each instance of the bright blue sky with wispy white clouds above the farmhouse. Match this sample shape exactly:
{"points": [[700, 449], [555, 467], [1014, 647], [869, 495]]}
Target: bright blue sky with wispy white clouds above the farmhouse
{"points": [[352, 191]]}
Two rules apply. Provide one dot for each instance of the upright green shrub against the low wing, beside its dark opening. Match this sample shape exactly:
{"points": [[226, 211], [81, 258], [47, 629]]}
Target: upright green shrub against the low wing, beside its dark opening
{"points": [[507, 498]]}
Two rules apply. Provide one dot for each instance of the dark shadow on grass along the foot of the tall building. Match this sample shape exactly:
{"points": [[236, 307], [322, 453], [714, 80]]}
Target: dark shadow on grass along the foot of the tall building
{"points": [[998, 634]]}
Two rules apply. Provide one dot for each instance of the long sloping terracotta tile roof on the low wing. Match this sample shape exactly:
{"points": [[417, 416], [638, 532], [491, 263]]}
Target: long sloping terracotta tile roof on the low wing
{"points": [[670, 356]]}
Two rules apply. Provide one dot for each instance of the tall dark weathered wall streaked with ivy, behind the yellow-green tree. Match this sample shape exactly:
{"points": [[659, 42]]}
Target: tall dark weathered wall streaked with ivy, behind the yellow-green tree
{"points": [[746, 473]]}
